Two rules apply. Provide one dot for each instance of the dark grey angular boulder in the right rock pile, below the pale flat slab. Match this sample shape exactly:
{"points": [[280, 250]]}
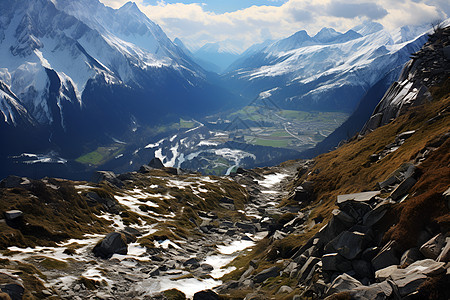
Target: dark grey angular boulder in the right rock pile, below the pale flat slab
{"points": [[348, 244]]}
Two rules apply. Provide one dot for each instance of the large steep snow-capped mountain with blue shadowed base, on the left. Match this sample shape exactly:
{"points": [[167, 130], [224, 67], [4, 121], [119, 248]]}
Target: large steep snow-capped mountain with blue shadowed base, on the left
{"points": [[76, 71]]}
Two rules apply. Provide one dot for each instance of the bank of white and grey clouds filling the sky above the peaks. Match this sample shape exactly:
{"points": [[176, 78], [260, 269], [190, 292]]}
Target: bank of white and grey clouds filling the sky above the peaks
{"points": [[196, 26]]}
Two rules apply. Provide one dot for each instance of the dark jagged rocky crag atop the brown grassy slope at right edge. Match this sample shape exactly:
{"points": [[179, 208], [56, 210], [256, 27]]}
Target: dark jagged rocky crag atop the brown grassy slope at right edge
{"points": [[429, 67]]}
